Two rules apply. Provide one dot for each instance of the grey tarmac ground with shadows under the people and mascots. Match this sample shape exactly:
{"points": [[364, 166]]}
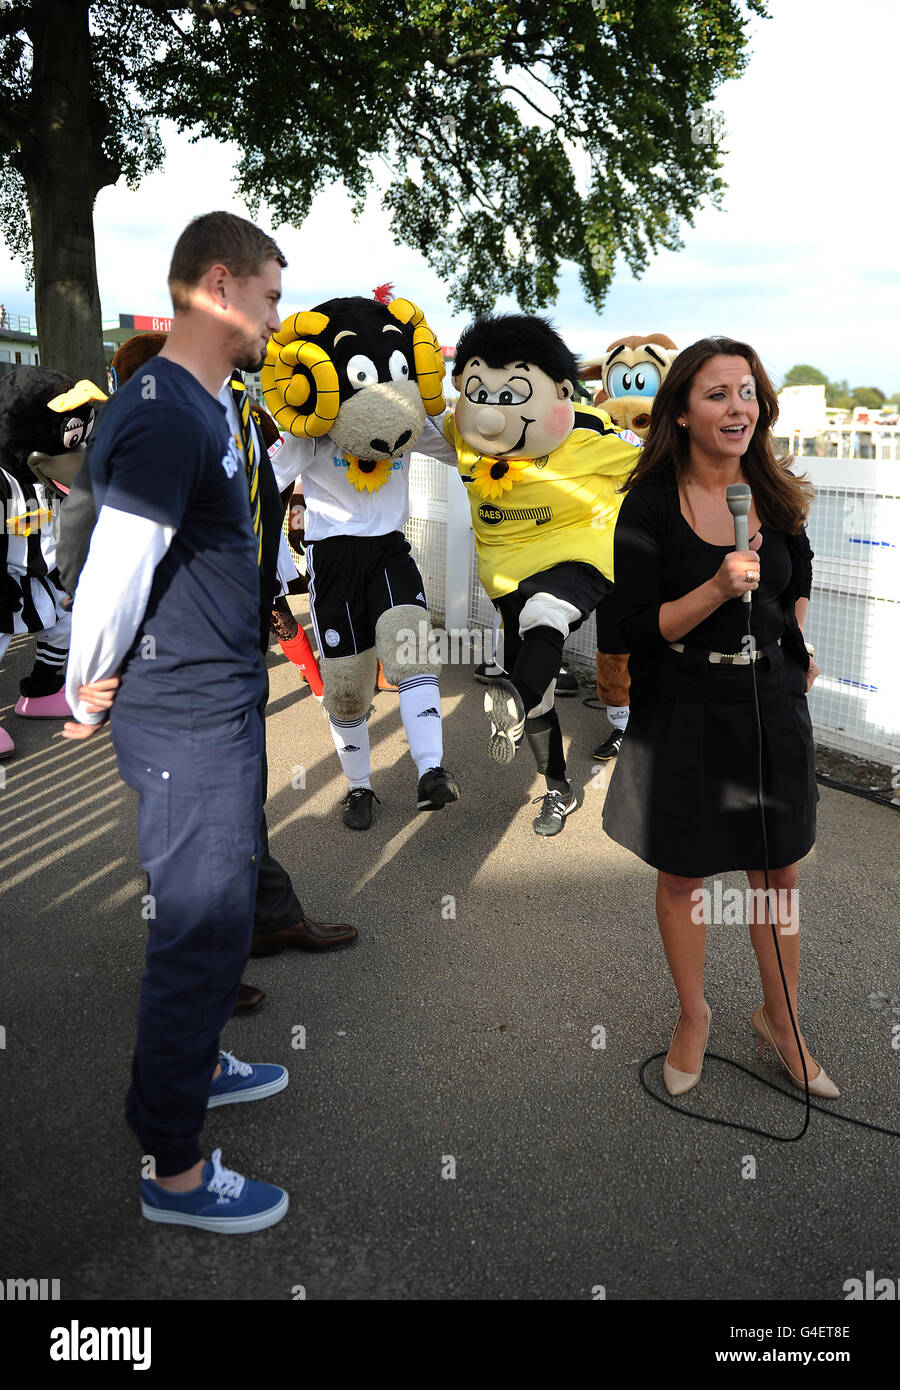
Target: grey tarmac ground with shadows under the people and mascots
{"points": [[439, 1036]]}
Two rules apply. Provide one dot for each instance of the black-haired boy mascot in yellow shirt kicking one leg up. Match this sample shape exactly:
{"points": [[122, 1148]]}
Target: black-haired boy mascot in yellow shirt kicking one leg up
{"points": [[543, 477]]}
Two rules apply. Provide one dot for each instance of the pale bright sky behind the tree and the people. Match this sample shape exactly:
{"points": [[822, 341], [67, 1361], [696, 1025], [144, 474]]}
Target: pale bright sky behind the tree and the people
{"points": [[802, 262]]}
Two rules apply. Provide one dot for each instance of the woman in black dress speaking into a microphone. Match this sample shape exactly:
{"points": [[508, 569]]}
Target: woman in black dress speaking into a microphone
{"points": [[684, 796]]}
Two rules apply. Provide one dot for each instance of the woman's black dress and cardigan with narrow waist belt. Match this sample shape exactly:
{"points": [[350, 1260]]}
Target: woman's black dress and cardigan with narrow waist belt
{"points": [[684, 794]]}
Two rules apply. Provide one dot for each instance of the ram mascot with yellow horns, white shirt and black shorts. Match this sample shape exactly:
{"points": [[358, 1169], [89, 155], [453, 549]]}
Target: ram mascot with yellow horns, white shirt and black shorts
{"points": [[353, 386]]}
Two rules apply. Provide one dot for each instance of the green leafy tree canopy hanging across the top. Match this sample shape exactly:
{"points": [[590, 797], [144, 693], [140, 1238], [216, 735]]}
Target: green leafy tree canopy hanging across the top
{"points": [[481, 111]]}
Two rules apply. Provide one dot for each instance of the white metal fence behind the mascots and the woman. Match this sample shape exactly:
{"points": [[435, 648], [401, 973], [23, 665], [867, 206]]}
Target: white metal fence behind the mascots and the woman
{"points": [[855, 611]]}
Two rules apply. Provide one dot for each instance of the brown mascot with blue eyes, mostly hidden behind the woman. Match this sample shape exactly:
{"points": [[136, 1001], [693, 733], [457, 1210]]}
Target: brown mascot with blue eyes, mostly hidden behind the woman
{"points": [[631, 373]]}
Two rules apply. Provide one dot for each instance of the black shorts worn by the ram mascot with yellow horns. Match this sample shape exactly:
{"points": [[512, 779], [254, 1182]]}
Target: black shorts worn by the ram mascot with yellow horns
{"points": [[353, 582]]}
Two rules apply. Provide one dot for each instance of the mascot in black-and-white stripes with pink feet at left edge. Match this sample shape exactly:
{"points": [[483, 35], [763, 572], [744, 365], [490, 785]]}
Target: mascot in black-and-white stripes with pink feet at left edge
{"points": [[45, 420]]}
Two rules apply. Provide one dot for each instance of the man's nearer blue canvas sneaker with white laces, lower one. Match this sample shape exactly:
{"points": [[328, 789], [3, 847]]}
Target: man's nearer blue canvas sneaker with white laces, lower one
{"points": [[225, 1202]]}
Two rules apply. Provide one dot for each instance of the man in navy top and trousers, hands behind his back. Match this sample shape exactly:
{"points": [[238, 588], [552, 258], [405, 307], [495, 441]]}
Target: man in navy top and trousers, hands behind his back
{"points": [[170, 598]]}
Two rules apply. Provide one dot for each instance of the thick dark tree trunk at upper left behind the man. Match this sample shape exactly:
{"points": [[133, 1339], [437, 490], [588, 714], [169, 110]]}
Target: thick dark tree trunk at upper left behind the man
{"points": [[65, 169]]}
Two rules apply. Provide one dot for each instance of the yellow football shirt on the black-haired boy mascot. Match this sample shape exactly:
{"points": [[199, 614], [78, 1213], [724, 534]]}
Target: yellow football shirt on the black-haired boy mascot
{"points": [[561, 508]]}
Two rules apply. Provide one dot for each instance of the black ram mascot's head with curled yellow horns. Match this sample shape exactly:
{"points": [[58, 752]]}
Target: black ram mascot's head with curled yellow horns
{"points": [[364, 372]]}
